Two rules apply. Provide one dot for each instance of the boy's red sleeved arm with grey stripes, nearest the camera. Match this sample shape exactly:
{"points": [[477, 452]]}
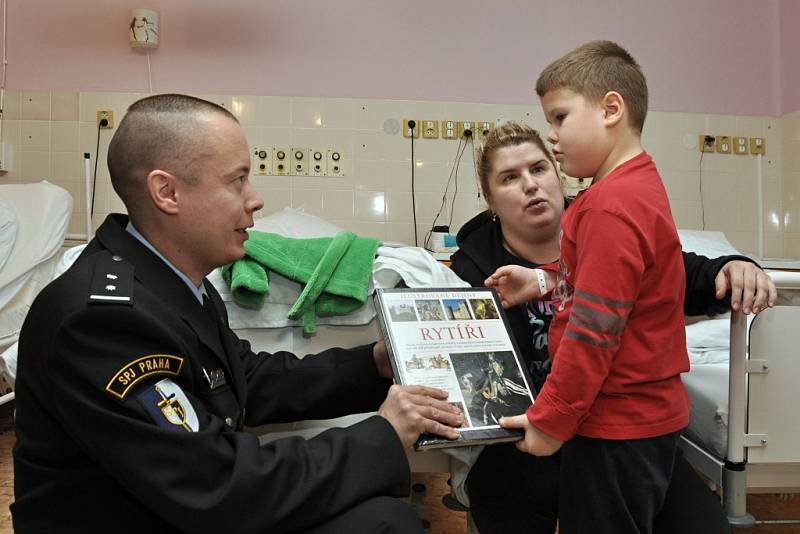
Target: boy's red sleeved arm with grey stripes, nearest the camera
{"points": [[608, 275]]}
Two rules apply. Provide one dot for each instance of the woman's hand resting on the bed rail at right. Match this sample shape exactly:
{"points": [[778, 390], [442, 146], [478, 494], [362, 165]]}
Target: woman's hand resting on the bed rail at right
{"points": [[751, 289]]}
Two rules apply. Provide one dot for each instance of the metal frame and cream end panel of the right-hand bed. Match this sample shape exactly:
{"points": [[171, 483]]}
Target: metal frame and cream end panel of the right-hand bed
{"points": [[763, 453]]}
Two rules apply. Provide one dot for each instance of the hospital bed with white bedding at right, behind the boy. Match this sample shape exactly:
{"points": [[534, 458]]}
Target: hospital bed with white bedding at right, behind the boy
{"points": [[744, 432]]}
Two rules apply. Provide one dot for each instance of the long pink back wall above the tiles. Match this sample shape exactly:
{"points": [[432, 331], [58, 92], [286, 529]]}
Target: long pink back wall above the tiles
{"points": [[713, 56]]}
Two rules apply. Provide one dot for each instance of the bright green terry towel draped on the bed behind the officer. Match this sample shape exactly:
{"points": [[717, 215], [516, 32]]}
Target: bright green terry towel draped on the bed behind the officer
{"points": [[335, 270]]}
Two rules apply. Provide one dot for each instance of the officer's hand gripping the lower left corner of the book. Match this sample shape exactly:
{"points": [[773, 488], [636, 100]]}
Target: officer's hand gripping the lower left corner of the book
{"points": [[412, 410]]}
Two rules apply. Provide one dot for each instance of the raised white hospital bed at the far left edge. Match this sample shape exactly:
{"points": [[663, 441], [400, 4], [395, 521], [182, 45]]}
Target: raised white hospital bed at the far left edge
{"points": [[33, 222]]}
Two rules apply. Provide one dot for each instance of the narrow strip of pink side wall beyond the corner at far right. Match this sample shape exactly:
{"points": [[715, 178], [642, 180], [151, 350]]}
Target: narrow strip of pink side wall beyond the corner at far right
{"points": [[790, 55]]}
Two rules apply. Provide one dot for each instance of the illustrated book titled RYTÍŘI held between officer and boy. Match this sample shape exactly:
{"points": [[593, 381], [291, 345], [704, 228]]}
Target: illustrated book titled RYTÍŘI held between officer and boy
{"points": [[458, 340]]}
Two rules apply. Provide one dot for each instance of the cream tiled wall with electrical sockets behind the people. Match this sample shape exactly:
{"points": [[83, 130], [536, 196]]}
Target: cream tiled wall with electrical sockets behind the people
{"points": [[51, 130]]}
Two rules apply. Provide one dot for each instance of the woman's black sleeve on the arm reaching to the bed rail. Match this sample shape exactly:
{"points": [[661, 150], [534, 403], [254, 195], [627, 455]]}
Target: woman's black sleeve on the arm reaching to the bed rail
{"points": [[700, 298]]}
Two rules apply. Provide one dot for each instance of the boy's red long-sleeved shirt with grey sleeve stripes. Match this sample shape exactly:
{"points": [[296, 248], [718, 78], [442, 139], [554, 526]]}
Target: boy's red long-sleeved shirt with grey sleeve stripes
{"points": [[618, 340]]}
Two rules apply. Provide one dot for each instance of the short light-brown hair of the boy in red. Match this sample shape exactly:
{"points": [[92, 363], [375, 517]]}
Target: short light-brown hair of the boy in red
{"points": [[594, 69]]}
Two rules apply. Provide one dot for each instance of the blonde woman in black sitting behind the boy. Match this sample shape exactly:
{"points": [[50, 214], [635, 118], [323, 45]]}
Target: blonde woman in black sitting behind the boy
{"points": [[511, 491]]}
